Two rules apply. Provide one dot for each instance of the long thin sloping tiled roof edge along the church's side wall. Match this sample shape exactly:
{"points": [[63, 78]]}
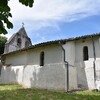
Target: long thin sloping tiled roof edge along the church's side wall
{"points": [[62, 41]]}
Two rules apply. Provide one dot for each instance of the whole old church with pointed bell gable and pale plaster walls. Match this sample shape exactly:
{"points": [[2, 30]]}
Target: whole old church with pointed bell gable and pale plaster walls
{"points": [[65, 64]]}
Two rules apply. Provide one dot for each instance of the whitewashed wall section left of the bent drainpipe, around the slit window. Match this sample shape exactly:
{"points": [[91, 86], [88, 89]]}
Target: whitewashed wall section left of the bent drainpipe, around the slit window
{"points": [[25, 68]]}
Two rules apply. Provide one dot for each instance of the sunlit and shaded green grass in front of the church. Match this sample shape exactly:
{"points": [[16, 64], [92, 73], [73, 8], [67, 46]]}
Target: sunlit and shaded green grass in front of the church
{"points": [[16, 92]]}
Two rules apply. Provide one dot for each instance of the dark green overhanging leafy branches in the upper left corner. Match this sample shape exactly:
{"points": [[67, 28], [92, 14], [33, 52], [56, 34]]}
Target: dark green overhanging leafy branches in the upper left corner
{"points": [[5, 14]]}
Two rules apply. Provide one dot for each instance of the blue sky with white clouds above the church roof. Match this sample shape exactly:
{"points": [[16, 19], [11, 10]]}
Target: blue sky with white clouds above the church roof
{"points": [[51, 20]]}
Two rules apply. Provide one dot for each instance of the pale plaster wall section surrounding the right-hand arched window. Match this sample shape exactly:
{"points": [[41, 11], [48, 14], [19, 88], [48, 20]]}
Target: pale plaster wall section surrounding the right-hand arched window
{"points": [[85, 69]]}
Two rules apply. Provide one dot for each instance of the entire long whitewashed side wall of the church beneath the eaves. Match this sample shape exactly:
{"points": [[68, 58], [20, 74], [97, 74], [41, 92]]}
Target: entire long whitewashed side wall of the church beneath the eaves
{"points": [[53, 74]]}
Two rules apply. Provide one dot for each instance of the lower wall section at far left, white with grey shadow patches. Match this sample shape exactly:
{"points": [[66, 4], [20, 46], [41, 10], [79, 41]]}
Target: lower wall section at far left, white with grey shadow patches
{"points": [[12, 74]]}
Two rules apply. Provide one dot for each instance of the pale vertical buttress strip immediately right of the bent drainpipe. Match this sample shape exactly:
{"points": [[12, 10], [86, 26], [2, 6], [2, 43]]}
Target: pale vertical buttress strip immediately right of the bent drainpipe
{"points": [[70, 58]]}
